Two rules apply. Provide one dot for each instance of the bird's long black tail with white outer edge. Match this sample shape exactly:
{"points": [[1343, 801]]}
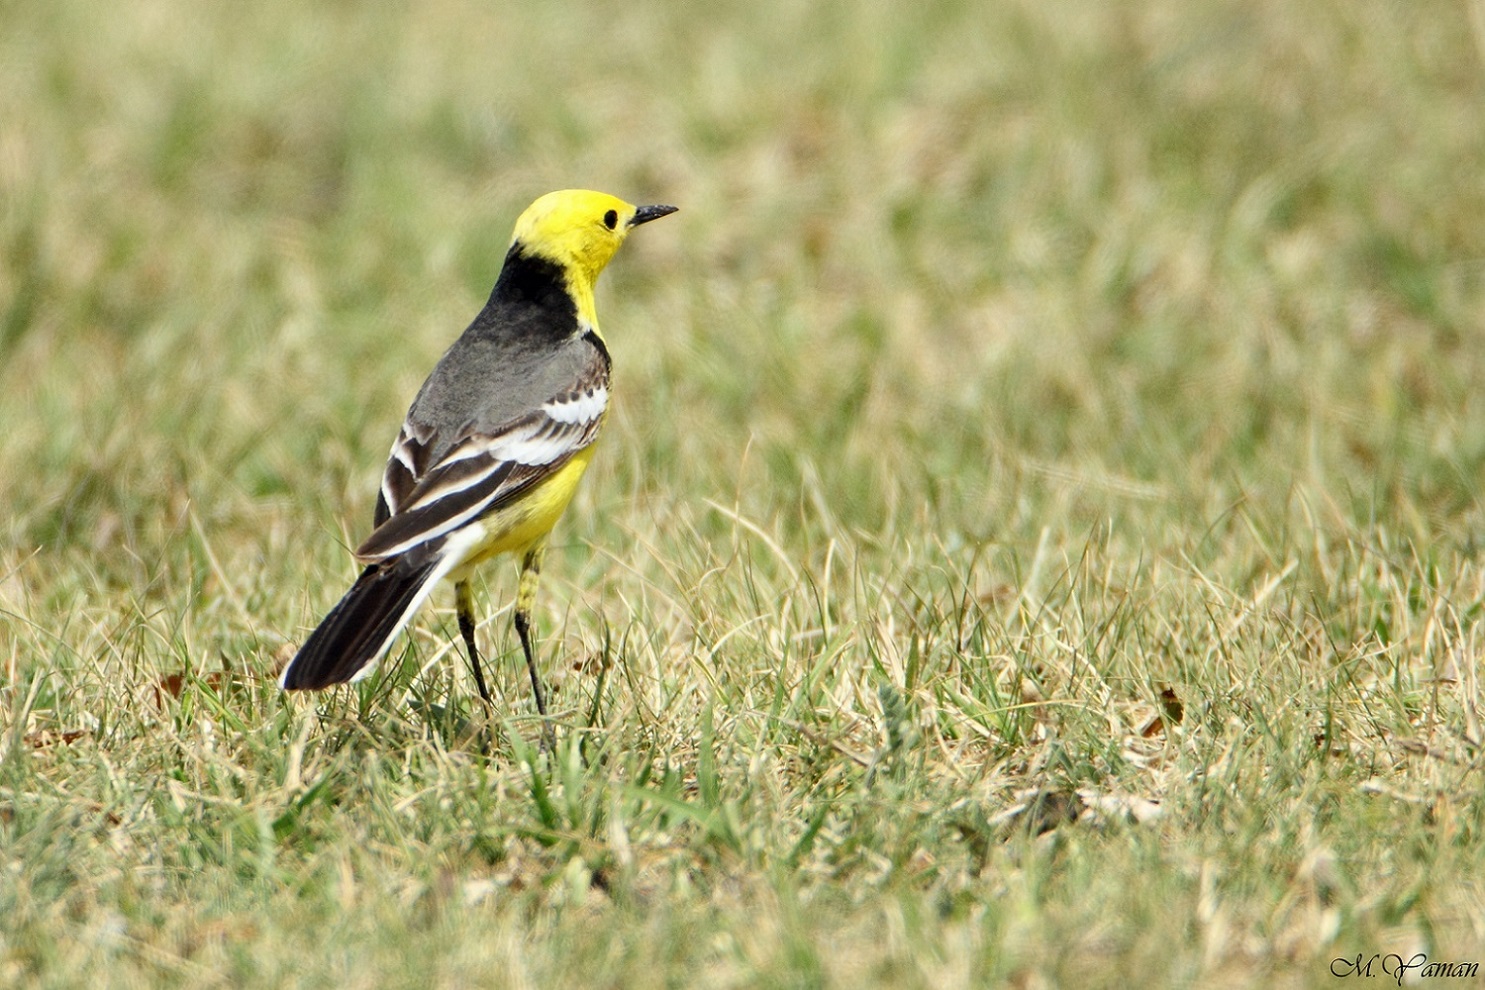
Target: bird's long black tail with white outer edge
{"points": [[363, 626]]}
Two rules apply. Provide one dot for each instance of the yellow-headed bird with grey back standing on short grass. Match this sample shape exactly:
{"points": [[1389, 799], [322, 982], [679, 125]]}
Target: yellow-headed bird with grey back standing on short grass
{"points": [[492, 449]]}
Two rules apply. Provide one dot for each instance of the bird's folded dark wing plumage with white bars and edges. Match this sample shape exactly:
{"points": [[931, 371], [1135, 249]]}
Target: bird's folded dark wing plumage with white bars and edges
{"points": [[483, 470]]}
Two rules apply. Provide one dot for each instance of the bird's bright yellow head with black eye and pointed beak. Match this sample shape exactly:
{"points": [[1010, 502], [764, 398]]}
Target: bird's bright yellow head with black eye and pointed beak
{"points": [[580, 231]]}
